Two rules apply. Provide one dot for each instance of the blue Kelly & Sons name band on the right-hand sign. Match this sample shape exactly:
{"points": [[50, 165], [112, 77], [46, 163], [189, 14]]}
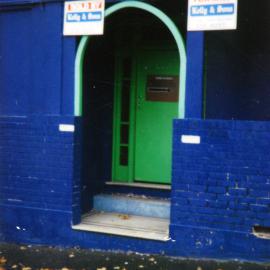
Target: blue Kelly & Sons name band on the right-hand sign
{"points": [[212, 10]]}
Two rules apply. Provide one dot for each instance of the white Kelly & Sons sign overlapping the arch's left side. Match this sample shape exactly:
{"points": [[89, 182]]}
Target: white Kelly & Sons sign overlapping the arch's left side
{"points": [[84, 18]]}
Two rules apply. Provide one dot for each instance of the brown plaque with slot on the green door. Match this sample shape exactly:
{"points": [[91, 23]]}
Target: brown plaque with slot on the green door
{"points": [[162, 88]]}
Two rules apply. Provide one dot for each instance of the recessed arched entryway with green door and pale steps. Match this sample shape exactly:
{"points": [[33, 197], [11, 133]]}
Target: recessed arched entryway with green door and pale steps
{"points": [[130, 95]]}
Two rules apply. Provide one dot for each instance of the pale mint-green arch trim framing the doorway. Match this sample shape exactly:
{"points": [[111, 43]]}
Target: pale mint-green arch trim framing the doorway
{"points": [[78, 94]]}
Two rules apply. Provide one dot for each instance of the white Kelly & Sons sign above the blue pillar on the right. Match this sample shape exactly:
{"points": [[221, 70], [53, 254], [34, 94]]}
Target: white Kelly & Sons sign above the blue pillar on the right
{"points": [[212, 15]]}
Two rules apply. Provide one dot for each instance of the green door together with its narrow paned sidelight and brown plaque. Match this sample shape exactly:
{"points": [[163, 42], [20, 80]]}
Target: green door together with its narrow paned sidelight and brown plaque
{"points": [[148, 90]]}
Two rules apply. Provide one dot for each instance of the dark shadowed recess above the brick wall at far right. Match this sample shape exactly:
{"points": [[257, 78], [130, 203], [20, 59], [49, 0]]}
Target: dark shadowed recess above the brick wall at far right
{"points": [[238, 67]]}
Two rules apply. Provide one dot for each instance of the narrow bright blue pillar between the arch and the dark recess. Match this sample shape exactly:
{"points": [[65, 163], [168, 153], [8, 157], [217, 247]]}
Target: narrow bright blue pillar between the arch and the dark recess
{"points": [[195, 75]]}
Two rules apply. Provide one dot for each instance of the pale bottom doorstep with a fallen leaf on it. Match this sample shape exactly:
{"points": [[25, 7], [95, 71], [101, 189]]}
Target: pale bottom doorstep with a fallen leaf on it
{"points": [[151, 228]]}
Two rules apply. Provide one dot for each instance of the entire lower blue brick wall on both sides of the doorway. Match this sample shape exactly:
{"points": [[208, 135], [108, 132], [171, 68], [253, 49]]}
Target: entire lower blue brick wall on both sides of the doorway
{"points": [[220, 189]]}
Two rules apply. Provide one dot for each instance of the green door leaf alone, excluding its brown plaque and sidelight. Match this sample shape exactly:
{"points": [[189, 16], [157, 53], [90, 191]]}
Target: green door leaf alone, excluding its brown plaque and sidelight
{"points": [[153, 131]]}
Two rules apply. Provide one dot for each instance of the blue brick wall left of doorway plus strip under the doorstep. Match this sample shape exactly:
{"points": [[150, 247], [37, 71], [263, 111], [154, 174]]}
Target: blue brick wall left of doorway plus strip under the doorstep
{"points": [[41, 185]]}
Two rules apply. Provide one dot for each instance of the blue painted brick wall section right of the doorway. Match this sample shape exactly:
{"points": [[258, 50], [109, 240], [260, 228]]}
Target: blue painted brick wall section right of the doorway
{"points": [[223, 183]]}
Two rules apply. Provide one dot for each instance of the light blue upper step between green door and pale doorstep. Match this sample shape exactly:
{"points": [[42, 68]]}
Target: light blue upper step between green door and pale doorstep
{"points": [[132, 205]]}
